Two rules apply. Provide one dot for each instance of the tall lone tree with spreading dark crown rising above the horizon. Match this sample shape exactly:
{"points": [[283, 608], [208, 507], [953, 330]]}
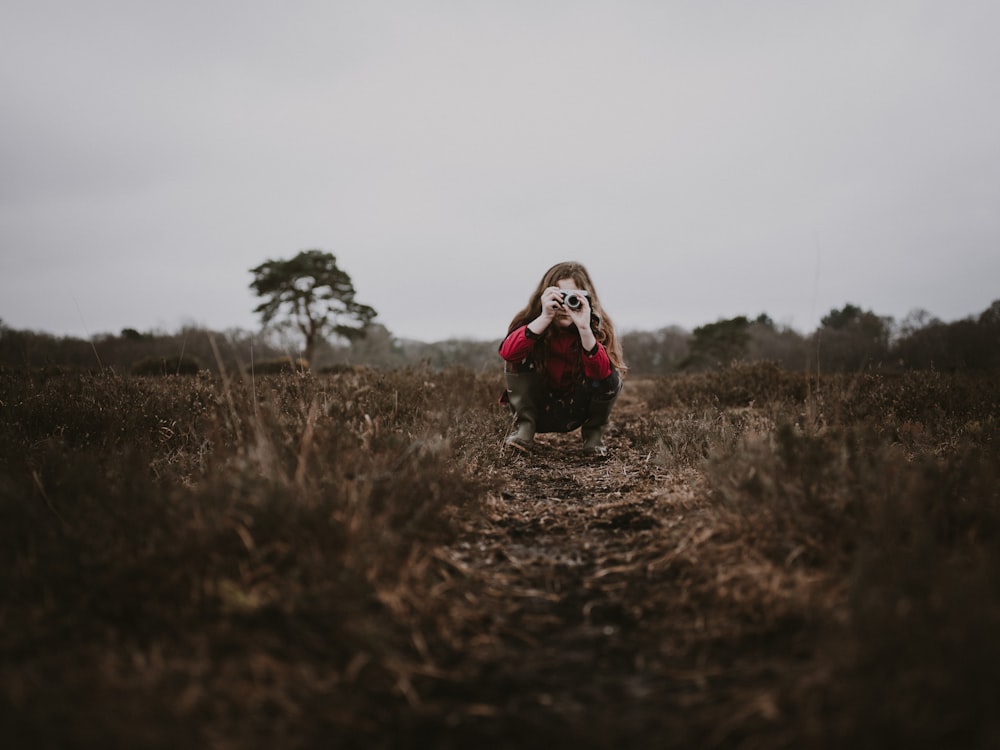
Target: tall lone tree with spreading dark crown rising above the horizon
{"points": [[312, 295]]}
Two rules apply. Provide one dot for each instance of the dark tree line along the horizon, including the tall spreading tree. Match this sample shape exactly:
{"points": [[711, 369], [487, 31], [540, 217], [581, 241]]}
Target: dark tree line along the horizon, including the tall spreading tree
{"points": [[310, 318]]}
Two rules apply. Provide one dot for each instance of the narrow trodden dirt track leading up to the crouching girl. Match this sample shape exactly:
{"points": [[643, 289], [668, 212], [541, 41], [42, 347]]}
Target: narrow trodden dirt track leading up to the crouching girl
{"points": [[573, 640]]}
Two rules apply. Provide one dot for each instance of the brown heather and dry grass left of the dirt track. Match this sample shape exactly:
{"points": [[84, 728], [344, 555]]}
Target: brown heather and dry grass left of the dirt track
{"points": [[161, 546]]}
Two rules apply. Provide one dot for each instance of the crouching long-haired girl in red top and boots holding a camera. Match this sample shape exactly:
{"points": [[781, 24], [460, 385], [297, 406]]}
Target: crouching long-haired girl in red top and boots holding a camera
{"points": [[563, 362]]}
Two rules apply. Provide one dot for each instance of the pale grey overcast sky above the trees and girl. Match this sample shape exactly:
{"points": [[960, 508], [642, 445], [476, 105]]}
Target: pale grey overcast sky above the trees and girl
{"points": [[703, 159]]}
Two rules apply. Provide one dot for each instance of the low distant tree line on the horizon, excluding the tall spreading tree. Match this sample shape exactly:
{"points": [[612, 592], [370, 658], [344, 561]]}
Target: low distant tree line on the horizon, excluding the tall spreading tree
{"points": [[849, 339]]}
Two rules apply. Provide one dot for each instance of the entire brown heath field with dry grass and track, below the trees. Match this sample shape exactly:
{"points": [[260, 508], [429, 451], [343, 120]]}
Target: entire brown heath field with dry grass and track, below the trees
{"points": [[765, 560]]}
